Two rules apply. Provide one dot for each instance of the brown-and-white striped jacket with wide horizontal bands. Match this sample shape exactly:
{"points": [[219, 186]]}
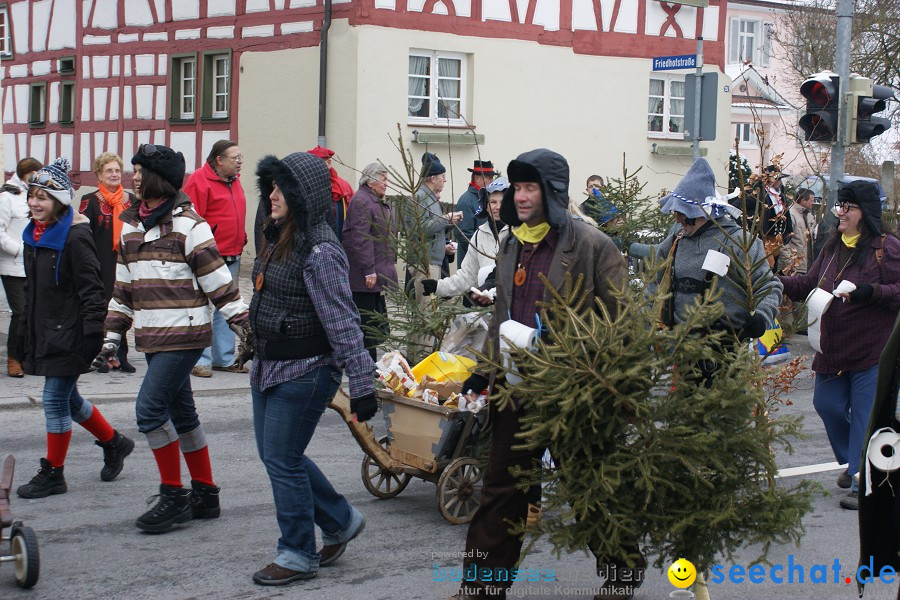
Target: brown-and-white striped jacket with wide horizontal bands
{"points": [[165, 279]]}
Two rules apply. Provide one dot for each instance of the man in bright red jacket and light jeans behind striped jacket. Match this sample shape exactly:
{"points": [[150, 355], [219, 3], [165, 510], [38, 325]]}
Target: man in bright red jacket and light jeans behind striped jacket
{"points": [[218, 197]]}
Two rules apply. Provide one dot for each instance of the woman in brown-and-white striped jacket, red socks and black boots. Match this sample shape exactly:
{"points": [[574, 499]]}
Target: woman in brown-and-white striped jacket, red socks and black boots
{"points": [[169, 271]]}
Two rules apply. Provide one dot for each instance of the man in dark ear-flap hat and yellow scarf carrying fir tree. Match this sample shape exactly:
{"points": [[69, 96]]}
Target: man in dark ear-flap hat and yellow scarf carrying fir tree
{"points": [[544, 240]]}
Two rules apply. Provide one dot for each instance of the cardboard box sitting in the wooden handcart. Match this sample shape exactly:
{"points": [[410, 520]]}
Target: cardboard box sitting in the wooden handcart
{"points": [[421, 432]]}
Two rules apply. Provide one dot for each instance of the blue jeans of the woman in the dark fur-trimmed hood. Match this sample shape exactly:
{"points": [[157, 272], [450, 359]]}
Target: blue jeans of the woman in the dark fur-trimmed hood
{"points": [[285, 417]]}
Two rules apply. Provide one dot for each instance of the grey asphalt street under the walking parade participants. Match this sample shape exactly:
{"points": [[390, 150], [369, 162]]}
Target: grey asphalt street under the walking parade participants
{"points": [[90, 548]]}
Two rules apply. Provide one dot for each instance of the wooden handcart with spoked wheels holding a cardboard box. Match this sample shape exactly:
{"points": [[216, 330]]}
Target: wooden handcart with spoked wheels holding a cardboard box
{"points": [[431, 442]]}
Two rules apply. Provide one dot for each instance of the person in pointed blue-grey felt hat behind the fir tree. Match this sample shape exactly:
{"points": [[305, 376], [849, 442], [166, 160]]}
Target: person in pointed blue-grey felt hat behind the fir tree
{"points": [[707, 221]]}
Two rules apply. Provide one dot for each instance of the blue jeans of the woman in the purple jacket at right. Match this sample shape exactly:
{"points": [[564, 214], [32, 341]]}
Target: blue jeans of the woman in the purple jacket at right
{"points": [[844, 402]]}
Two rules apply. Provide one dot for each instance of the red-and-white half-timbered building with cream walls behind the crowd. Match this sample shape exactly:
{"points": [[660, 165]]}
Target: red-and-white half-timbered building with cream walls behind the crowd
{"points": [[80, 77]]}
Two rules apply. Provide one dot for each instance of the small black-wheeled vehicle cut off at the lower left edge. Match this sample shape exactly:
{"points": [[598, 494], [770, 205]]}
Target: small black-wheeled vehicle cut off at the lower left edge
{"points": [[23, 548]]}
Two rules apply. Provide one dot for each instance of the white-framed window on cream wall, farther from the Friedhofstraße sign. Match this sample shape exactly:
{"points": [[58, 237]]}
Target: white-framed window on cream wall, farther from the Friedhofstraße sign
{"points": [[437, 88]]}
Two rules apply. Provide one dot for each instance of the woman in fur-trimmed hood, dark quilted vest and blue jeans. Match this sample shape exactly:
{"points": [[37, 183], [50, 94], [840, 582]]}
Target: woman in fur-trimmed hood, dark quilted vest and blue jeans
{"points": [[306, 334]]}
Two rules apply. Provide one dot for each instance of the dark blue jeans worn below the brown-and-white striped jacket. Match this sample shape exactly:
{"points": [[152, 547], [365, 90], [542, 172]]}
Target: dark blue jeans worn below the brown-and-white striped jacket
{"points": [[165, 404]]}
